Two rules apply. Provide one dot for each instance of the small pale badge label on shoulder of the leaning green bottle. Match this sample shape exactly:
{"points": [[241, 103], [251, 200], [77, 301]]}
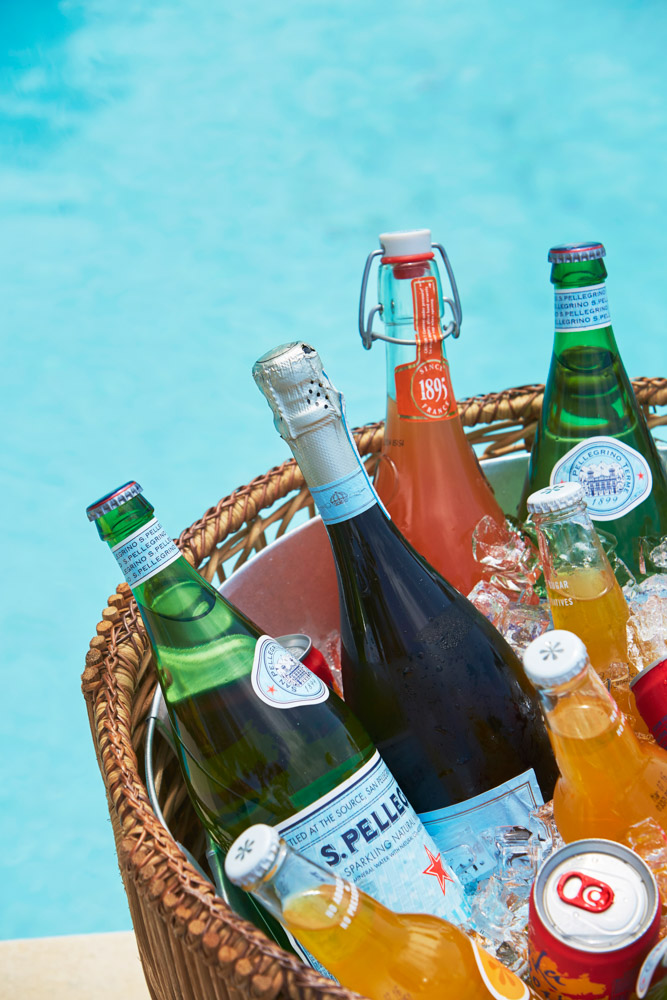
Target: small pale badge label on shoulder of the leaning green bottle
{"points": [[282, 681]]}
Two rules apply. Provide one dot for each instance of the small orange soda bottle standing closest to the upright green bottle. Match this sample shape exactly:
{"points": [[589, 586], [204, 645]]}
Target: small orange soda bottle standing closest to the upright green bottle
{"points": [[584, 595]]}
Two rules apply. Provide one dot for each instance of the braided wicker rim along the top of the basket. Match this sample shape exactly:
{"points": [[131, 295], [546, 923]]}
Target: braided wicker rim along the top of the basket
{"points": [[166, 882]]}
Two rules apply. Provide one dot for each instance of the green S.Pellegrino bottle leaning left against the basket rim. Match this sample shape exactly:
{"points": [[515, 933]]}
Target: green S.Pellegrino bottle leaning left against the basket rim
{"points": [[261, 738]]}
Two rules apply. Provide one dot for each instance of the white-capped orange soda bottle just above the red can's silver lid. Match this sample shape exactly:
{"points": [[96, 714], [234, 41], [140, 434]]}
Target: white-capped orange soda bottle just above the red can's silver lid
{"points": [[609, 779]]}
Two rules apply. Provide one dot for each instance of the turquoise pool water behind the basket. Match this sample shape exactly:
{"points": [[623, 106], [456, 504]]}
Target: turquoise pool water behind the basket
{"points": [[184, 185]]}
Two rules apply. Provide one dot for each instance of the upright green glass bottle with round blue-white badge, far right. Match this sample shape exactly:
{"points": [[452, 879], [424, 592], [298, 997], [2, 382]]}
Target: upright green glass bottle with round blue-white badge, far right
{"points": [[591, 429]]}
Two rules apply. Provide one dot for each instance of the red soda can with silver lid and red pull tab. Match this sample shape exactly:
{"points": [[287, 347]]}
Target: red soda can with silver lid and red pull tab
{"points": [[594, 914]]}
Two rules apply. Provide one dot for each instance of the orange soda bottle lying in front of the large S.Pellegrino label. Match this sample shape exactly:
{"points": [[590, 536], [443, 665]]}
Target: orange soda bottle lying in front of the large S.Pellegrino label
{"points": [[366, 946]]}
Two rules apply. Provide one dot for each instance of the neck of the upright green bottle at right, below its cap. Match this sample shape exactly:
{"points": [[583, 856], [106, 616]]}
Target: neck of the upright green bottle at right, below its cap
{"points": [[581, 307]]}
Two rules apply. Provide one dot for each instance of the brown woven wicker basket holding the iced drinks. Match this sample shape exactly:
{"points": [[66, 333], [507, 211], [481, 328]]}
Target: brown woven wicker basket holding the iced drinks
{"points": [[192, 945]]}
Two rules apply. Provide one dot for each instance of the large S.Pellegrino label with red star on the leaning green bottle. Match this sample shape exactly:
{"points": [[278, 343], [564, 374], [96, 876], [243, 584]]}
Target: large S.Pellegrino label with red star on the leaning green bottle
{"points": [[365, 831]]}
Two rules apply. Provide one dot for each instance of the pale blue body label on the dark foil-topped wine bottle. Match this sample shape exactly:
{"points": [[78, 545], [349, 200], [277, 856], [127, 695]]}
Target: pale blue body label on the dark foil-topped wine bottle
{"points": [[464, 832]]}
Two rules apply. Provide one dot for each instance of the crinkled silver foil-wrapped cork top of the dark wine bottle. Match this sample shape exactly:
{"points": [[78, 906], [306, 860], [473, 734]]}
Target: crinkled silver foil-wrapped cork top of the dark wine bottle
{"points": [[297, 389]]}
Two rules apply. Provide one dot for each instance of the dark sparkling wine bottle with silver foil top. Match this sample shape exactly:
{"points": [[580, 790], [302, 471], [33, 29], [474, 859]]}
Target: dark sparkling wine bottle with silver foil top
{"points": [[443, 696]]}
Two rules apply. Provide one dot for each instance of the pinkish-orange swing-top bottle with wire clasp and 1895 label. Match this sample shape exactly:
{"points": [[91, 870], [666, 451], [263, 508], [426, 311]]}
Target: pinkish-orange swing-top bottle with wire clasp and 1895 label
{"points": [[428, 476]]}
